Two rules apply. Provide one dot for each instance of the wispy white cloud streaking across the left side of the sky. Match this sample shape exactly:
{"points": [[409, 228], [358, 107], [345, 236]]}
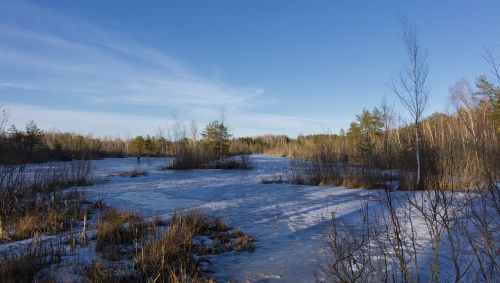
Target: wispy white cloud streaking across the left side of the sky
{"points": [[46, 53]]}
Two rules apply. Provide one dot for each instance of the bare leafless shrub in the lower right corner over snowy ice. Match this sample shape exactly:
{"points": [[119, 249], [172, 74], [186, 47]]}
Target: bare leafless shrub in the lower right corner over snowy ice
{"points": [[414, 236]]}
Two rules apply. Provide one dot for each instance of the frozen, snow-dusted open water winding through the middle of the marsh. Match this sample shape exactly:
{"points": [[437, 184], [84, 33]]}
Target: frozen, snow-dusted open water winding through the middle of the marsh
{"points": [[286, 220]]}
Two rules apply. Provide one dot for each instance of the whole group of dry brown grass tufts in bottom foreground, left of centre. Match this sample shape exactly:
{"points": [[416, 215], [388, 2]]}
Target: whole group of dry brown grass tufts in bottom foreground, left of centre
{"points": [[173, 253]]}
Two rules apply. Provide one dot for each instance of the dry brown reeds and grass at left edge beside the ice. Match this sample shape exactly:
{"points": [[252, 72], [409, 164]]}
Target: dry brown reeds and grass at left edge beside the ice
{"points": [[38, 199]]}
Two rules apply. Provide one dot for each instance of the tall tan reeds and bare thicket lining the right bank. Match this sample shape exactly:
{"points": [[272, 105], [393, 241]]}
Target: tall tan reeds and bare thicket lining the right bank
{"points": [[461, 147]]}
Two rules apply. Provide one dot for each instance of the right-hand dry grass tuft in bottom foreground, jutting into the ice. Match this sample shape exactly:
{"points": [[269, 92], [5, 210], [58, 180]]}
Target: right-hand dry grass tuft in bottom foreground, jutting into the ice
{"points": [[172, 256]]}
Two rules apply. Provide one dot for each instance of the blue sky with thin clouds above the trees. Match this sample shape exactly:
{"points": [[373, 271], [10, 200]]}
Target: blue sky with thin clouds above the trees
{"points": [[122, 68]]}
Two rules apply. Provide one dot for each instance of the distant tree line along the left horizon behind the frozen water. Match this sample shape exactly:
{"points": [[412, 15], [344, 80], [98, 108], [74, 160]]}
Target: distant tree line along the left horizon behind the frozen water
{"points": [[33, 144]]}
